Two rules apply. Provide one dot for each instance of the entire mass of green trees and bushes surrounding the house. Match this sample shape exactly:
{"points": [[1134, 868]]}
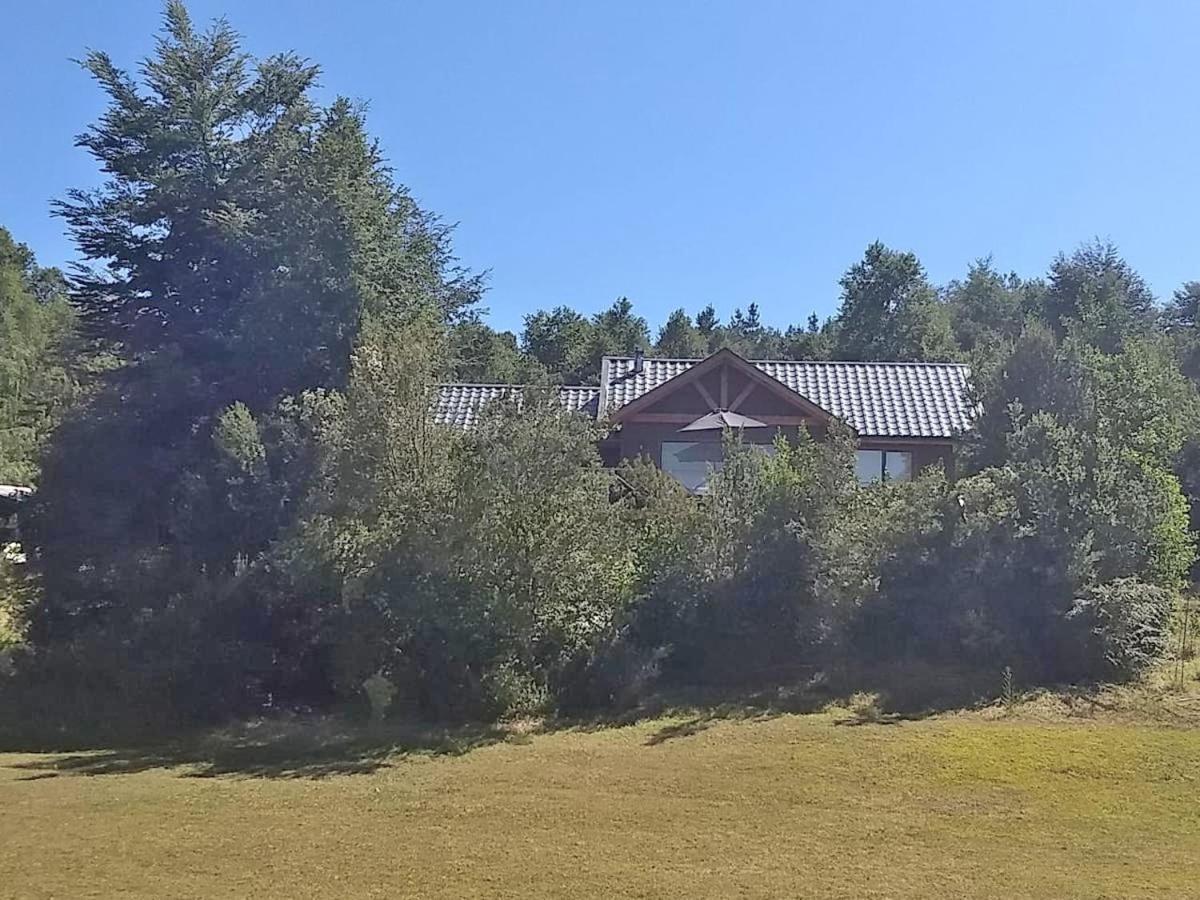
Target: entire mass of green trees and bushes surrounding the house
{"points": [[242, 502]]}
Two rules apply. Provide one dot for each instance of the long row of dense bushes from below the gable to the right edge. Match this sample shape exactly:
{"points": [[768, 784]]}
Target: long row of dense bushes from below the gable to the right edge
{"points": [[1061, 565]]}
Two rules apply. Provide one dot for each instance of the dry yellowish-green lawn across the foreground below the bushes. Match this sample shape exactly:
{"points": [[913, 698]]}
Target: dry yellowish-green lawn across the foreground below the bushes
{"points": [[1051, 802]]}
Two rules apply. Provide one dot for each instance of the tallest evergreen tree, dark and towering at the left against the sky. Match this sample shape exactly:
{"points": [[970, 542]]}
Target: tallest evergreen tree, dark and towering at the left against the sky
{"points": [[243, 236]]}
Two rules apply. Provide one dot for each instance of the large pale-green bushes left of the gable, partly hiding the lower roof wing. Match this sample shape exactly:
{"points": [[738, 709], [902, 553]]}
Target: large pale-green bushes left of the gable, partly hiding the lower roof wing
{"points": [[473, 571]]}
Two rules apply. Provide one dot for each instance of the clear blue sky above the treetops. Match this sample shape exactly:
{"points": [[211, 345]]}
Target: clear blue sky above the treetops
{"points": [[692, 153]]}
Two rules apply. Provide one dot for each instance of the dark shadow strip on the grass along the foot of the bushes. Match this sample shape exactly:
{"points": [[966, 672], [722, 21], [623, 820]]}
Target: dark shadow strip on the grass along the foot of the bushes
{"points": [[323, 747]]}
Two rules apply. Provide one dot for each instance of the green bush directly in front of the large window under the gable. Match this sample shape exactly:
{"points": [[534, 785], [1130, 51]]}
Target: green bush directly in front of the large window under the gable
{"points": [[736, 584]]}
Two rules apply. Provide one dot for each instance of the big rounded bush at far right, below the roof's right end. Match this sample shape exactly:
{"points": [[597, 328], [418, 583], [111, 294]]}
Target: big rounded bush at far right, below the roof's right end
{"points": [[1018, 548]]}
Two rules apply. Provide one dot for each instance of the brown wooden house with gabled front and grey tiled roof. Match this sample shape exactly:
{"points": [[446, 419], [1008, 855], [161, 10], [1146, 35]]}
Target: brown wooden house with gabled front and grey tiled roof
{"points": [[905, 416]]}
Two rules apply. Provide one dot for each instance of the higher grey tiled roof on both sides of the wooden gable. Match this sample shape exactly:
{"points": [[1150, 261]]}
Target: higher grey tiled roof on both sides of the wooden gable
{"points": [[910, 400]]}
